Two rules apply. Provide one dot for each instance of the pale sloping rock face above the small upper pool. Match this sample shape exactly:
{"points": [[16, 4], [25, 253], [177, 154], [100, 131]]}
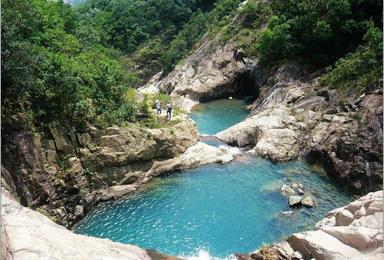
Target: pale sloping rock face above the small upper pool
{"points": [[206, 74]]}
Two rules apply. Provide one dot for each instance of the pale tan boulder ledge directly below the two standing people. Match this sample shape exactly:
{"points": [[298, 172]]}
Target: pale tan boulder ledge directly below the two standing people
{"points": [[121, 146]]}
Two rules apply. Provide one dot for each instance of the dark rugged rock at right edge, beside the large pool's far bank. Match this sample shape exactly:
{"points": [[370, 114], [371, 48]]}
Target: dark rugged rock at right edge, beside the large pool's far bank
{"points": [[346, 143]]}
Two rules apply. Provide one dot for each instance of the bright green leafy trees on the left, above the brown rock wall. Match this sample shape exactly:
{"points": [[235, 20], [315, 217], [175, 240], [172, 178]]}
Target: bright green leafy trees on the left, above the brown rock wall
{"points": [[52, 73]]}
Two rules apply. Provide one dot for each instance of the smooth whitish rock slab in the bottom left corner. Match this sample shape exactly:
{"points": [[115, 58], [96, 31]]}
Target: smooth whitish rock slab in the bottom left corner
{"points": [[27, 234]]}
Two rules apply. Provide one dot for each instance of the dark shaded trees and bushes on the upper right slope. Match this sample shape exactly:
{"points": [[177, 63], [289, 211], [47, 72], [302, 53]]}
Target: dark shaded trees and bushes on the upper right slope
{"points": [[345, 35]]}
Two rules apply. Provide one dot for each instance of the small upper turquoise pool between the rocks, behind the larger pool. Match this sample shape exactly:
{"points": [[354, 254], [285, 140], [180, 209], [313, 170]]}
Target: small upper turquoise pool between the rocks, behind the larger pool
{"points": [[215, 116]]}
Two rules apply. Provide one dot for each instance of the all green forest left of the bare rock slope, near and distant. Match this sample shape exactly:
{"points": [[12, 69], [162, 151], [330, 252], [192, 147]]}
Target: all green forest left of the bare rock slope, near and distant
{"points": [[78, 64]]}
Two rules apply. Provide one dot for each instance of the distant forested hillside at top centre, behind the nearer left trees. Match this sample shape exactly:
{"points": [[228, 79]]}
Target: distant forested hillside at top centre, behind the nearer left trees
{"points": [[155, 34]]}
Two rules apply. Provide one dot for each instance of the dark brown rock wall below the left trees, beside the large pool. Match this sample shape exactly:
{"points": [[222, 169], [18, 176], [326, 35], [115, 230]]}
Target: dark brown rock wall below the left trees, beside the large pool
{"points": [[63, 173]]}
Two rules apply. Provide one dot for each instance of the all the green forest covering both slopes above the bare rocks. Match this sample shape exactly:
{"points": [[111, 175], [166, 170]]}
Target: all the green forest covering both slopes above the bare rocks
{"points": [[80, 64]]}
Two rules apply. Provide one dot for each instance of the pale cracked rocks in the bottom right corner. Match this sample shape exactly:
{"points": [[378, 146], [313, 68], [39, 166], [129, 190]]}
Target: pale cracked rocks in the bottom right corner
{"points": [[356, 235]]}
